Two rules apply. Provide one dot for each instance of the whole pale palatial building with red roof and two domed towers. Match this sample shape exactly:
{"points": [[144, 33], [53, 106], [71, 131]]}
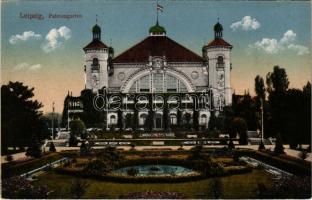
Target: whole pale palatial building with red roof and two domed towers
{"points": [[156, 66]]}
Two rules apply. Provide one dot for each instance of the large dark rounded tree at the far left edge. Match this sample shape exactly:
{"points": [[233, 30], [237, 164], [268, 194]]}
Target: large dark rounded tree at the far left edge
{"points": [[20, 117]]}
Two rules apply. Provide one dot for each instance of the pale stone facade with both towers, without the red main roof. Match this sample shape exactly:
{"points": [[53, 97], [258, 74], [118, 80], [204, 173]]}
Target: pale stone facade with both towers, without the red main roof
{"points": [[162, 75]]}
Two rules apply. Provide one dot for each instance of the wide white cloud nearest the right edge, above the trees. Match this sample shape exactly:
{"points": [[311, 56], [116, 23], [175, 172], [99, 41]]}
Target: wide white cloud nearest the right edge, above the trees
{"points": [[287, 42]]}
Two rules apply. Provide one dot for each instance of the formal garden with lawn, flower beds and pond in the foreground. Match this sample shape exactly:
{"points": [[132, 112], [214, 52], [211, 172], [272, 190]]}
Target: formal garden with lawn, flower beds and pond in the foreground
{"points": [[196, 173]]}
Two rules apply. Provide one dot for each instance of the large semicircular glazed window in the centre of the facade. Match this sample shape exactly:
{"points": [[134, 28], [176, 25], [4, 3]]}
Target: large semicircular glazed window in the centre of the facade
{"points": [[158, 82]]}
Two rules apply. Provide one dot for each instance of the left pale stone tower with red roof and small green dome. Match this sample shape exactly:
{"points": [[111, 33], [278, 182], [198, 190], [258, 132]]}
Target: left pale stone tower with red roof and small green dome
{"points": [[96, 62]]}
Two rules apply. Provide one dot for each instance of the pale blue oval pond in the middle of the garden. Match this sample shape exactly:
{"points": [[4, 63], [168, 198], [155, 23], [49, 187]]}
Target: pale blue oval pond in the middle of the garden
{"points": [[155, 170]]}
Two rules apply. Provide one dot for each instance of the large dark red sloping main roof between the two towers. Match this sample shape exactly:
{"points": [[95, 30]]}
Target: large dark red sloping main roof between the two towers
{"points": [[157, 46]]}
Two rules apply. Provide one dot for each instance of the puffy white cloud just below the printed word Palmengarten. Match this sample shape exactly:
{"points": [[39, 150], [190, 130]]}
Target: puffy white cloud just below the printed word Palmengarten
{"points": [[55, 38]]}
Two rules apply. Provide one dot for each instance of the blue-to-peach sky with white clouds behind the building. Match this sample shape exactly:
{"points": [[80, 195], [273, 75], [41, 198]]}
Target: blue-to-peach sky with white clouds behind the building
{"points": [[47, 53]]}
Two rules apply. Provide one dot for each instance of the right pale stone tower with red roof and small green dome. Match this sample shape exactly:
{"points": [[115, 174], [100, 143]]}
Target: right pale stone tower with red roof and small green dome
{"points": [[217, 56]]}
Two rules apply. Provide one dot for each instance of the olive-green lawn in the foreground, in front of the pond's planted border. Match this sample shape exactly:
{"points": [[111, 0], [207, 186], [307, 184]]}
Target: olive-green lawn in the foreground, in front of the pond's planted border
{"points": [[235, 186]]}
